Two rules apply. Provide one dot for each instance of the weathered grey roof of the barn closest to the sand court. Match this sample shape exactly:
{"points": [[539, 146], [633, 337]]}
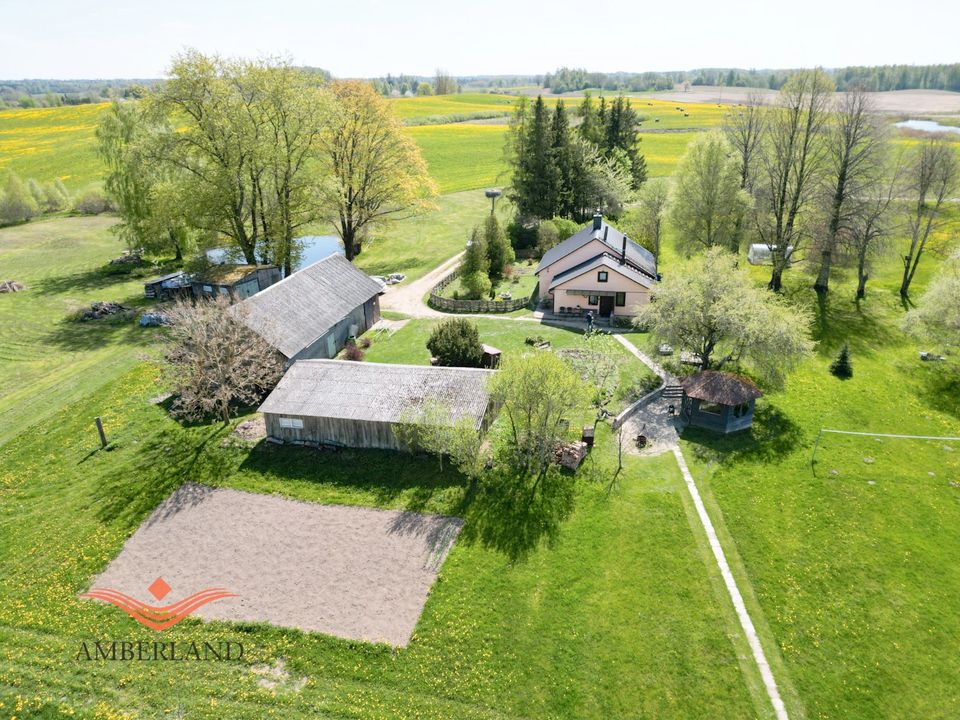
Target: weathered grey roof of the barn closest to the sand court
{"points": [[376, 392]]}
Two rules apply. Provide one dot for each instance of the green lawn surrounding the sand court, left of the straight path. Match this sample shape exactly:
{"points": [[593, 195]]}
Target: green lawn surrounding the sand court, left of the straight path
{"points": [[618, 616]]}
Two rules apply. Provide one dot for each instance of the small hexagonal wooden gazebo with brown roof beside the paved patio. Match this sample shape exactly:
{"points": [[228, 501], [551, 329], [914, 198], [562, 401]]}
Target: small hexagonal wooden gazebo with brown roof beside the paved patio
{"points": [[718, 401]]}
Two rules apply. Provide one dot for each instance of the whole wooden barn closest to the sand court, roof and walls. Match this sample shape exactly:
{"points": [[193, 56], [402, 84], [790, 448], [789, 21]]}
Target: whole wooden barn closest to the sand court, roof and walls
{"points": [[360, 404]]}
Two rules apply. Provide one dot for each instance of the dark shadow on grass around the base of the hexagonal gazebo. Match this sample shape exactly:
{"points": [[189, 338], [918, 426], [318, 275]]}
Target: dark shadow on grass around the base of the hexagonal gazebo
{"points": [[772, 436]]}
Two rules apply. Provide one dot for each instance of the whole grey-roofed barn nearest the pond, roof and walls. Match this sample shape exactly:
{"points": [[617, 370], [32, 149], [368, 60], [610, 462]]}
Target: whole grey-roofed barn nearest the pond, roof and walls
{"points": [[312, 313]]}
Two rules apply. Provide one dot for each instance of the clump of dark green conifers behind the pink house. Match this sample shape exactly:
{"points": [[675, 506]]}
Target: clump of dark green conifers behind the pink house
{"points": [[567, 171]]}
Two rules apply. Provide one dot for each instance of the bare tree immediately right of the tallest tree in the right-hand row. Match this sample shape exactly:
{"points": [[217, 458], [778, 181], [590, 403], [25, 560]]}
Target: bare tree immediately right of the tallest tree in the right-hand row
{"points": [[854, 150]]}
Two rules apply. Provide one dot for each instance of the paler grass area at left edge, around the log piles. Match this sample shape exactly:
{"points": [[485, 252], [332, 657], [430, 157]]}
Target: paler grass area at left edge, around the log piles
{"points": [[46, 361]]}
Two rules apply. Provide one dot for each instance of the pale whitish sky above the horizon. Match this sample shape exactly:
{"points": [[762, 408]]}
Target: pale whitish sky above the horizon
{"points": [[87, 39]]}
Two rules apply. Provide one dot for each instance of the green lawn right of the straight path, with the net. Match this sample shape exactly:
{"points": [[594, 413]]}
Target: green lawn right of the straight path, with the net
{"points": [[853, 560]]}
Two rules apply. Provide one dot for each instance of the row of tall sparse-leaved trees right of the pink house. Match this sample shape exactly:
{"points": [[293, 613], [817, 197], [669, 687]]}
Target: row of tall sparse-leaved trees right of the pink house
{"points": [[811, 176]]}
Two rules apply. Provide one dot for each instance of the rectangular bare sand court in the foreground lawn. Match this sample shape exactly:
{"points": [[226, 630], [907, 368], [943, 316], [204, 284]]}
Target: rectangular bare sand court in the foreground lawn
{"points": [[355, 573]]}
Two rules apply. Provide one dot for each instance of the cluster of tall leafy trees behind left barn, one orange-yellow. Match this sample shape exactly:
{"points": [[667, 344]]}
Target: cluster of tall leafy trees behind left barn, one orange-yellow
{"points": [[254, 153]]}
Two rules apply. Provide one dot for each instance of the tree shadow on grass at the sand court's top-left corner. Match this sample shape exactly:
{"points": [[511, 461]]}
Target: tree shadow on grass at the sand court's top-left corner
{"points": [[132, 490]]}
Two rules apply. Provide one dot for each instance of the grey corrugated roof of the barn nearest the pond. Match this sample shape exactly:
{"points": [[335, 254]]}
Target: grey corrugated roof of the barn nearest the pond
{"points": [[297, 311]]}
